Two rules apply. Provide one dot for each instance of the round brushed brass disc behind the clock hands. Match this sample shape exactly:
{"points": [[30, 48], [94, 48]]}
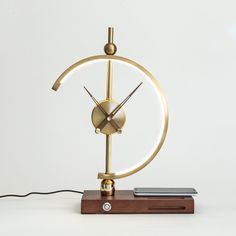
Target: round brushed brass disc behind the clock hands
{"points": [[98, 116]]}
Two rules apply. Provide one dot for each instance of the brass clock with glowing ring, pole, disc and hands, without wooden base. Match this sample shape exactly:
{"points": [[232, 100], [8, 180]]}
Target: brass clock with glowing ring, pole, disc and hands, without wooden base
{"points": [[108, 116]]}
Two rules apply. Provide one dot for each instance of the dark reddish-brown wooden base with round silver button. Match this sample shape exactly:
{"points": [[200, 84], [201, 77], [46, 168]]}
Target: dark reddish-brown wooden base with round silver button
{"points": [[124, 202]]}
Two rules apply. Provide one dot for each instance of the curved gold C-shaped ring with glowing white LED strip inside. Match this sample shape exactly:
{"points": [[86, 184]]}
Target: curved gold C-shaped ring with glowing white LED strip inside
{"points": [[147, 74]]}
